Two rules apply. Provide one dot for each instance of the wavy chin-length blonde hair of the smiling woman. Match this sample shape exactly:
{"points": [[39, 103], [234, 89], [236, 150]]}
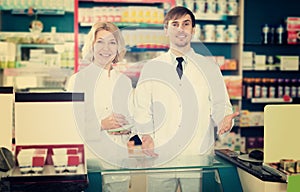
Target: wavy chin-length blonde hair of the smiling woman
{"points": [[87, 49]]}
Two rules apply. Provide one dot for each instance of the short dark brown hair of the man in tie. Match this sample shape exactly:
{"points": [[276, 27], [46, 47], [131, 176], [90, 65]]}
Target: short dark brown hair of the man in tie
{"points": [[177, 12]]}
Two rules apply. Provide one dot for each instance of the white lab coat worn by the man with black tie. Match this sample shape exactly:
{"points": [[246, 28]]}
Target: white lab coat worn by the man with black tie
{"points": [[212, 103]]}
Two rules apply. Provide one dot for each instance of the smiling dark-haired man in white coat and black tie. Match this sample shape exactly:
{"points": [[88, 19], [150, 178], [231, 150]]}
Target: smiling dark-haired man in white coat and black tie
{"points": [[180, 99]]}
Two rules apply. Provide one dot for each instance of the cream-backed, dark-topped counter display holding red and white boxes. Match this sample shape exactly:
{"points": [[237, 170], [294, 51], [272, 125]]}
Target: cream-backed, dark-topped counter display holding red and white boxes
{"points": [[49, 151]]}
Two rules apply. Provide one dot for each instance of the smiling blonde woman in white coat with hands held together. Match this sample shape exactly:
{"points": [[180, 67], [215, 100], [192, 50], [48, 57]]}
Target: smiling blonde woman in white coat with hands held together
{"points": [[107, 97]]}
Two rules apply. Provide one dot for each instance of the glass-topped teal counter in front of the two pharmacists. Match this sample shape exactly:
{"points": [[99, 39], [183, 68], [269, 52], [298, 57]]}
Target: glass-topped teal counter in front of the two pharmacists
{"points": [[217, 174]]}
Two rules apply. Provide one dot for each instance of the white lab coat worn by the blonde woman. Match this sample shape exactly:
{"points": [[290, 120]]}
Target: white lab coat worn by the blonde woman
{"points": [[103, 95]]}
